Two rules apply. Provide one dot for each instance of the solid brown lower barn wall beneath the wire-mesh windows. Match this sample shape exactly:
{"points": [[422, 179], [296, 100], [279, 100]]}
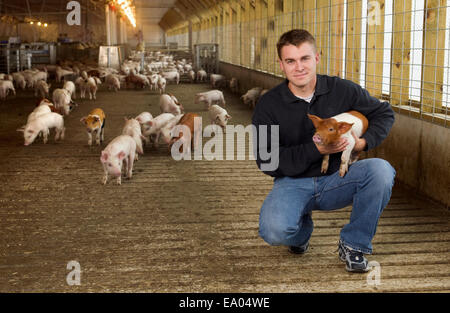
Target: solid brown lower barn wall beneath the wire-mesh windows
{"points": [[418, 150]]}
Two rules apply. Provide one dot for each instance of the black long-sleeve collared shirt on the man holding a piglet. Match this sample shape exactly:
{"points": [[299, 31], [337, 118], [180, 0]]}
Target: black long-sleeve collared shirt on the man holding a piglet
{"points": [[298, 155]]}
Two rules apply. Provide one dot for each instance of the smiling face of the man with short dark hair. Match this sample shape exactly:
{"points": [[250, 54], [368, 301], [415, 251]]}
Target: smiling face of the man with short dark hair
{"points": [[299, 63]]}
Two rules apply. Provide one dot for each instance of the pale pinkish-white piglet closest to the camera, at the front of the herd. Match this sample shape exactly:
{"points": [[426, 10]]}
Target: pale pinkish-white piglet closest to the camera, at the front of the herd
{"points": [[120, 151]]}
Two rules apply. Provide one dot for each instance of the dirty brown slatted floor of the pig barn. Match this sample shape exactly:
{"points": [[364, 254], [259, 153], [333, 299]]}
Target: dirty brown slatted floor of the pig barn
{"points": [[178, 226]]}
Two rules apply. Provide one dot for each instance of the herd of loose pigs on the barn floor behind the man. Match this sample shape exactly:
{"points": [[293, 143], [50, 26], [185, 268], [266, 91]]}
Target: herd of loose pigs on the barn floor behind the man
{"points": [[144, 129]]}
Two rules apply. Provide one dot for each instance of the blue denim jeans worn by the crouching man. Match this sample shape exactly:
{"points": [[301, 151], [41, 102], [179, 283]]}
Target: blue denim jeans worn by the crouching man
{"points": [[285, 217]]}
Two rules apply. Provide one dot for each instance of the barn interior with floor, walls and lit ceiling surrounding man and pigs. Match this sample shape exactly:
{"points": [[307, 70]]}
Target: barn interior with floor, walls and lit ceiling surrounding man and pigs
{"points": [[192, 225]]}
